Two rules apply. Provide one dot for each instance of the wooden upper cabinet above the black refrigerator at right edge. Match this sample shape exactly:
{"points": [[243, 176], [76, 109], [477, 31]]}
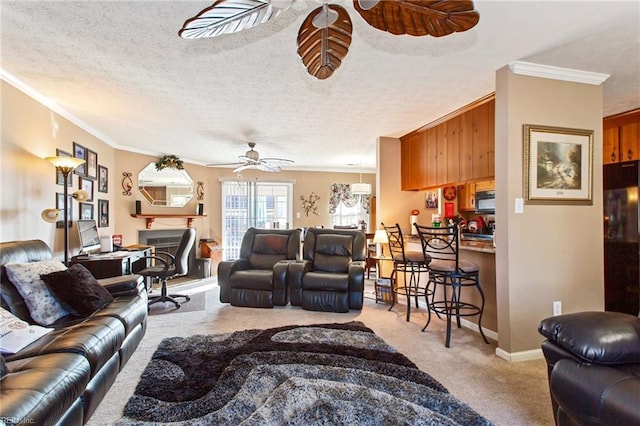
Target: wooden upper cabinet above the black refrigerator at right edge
{"points": [[620, 137]]}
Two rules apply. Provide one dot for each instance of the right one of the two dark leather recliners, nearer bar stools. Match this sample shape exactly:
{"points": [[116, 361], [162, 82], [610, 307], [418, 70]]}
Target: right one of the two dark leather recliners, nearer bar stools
{"points": [[330, 276]]}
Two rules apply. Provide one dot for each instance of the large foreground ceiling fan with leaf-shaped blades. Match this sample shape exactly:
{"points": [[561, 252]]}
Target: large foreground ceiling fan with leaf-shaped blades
{"points": [[325, 35]]}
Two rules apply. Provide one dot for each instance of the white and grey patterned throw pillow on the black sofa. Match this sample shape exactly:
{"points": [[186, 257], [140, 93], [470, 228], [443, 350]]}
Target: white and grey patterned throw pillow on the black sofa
{"points": [[43, 306]]}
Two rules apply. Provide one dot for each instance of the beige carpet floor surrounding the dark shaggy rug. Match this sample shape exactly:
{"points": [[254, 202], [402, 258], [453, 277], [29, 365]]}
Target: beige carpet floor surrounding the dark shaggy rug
{"points": [[506, 393]]}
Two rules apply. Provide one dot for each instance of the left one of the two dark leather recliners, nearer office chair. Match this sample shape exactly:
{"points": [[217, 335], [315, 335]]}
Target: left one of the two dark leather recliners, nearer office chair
{"points": [[258, 277]]}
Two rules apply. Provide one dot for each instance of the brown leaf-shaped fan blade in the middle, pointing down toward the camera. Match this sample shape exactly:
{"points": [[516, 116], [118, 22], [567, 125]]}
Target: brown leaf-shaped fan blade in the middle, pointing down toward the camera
{"points": [[322, 49]]}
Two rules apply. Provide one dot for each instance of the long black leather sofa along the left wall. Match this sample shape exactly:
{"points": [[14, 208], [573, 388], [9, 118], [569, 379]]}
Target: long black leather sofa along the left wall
{"points": [[61, 378]]}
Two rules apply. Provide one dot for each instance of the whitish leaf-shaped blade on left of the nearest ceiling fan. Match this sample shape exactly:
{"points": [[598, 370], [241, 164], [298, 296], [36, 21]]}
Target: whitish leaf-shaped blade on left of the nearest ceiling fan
{"points": [[228, 16]]}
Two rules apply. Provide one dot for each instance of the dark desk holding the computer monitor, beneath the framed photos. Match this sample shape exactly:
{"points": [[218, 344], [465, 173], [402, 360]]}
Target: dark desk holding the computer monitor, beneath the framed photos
{"points": [[107, 265]]}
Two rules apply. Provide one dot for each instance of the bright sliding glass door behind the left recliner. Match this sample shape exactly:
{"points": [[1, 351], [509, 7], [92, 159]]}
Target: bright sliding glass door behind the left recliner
{"points": [[266, 205]]}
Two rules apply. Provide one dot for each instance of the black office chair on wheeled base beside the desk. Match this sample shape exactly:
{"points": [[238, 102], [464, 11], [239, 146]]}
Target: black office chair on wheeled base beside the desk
{"points": [[170, 266]]}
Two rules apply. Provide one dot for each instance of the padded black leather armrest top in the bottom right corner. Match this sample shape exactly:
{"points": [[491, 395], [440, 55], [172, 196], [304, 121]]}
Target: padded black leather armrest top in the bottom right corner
{"points": [[607, 338]]}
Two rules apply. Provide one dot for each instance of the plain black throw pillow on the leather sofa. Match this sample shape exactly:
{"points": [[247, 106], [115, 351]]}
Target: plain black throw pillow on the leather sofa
{"points": [[78, 290]]}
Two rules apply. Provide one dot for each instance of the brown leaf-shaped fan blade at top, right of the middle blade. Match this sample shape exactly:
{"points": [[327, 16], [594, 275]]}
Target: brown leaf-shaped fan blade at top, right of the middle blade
{"points": [[421, 17]]}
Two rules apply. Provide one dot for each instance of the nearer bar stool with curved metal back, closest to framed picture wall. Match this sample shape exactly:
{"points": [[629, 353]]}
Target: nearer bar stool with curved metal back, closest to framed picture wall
{"points": [[447, 270]]}
